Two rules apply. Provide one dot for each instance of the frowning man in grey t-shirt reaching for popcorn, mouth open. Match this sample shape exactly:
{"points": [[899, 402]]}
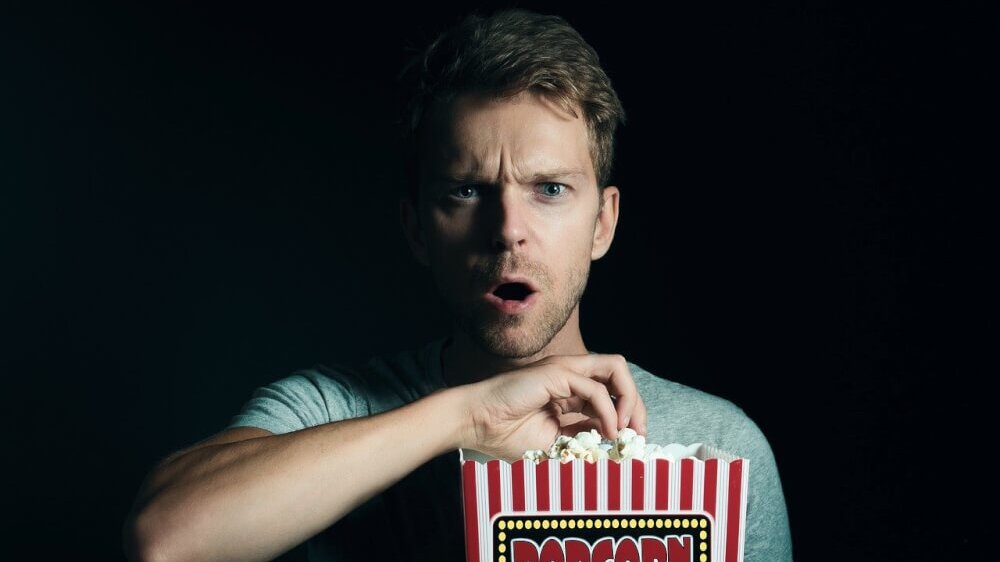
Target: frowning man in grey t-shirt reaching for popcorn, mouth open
{"points": [[513, 125]]}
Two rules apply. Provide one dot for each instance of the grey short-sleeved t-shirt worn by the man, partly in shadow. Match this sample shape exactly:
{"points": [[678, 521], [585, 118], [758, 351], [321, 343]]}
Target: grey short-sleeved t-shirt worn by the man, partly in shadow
{"points": [[423, 512]]}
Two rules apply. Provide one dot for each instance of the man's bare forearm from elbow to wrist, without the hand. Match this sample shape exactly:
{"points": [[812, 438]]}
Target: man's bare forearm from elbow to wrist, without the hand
{"points": [[253, 499]]}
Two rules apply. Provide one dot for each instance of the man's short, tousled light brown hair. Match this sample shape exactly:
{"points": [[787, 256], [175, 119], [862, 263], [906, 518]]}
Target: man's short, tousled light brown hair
{"points": [[504, 55]]}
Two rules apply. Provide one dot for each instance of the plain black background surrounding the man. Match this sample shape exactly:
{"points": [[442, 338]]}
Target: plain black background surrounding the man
{"points": [[199, 200]]}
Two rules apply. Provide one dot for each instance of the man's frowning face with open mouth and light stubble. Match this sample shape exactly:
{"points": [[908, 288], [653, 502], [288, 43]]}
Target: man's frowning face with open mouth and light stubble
{"points": [[509, 190]]}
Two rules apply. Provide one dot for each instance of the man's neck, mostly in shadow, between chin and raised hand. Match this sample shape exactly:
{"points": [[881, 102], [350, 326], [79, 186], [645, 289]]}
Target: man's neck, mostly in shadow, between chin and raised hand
{"points": [[463, 361]]}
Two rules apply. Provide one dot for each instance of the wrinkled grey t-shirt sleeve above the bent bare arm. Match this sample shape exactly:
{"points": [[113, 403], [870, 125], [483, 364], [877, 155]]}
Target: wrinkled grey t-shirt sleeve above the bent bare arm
{"points": [[304, 399]]}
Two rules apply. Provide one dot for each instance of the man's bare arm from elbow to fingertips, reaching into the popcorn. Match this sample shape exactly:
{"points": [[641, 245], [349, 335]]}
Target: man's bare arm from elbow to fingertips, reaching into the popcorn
{"points": [[249, 495]]}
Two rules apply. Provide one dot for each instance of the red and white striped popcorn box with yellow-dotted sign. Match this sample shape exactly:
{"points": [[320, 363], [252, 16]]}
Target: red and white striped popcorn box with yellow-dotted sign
{"points": [[692, 509]]}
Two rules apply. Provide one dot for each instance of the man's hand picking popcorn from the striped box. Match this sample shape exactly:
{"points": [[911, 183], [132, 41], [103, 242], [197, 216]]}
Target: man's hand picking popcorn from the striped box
{"points": [[529, 407]]}
